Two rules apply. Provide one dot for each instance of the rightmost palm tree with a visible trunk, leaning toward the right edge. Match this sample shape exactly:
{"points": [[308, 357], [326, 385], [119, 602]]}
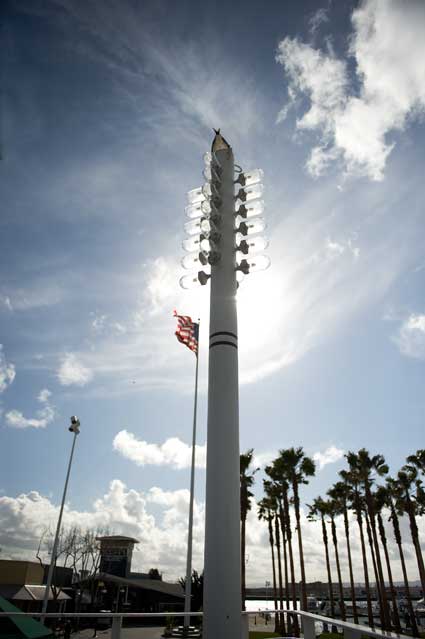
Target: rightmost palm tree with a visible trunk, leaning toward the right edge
{"points": [[410, 488]]}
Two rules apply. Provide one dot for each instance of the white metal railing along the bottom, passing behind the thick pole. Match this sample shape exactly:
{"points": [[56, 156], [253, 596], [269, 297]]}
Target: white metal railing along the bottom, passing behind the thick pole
{"points": [[308, 620]]}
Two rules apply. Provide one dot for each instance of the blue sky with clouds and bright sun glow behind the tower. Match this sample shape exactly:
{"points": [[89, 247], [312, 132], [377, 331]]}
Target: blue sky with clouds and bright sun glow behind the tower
{"points": [[107, 110]]}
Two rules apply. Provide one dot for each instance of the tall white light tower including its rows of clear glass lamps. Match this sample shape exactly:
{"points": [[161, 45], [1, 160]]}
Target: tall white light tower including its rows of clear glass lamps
{"points": [[220, 239]]}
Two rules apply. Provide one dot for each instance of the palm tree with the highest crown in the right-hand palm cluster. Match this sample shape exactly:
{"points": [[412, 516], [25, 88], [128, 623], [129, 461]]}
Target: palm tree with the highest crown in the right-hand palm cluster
{"points": [[368, 468]]}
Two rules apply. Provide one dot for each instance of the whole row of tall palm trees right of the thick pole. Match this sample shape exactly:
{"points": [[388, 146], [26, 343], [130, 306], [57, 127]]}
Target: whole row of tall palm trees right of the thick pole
{"points": [[364, 489]]}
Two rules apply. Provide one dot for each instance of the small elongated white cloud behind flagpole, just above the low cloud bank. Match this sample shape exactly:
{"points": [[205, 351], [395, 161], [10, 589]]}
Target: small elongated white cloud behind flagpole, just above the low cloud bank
{"points": [[173, 452]]}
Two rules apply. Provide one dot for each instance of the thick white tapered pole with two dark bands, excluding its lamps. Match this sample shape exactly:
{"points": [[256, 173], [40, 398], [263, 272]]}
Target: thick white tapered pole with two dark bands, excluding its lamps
{"points": [[222, 586]]}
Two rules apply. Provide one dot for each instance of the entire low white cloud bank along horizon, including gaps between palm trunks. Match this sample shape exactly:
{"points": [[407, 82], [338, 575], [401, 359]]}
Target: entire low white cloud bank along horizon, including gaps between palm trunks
{"points": [[158, 519]]}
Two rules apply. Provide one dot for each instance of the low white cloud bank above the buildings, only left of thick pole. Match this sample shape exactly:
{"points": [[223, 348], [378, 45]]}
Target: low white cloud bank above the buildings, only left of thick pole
{"points": [[162, 536]]}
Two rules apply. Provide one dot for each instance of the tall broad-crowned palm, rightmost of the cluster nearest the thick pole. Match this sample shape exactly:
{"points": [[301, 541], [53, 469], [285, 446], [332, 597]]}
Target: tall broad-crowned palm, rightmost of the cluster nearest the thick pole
{"points": [[297, 468]]}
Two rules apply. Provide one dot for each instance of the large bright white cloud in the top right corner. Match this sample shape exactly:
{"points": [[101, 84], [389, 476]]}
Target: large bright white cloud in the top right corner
{"points": [[355, 128]]}
